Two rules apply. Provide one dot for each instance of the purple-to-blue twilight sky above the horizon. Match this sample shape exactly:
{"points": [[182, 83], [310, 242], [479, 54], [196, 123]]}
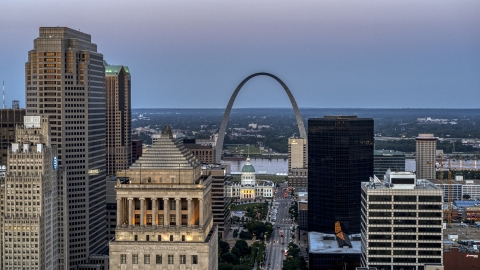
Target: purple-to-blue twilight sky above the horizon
{"points": [[193, 54]]}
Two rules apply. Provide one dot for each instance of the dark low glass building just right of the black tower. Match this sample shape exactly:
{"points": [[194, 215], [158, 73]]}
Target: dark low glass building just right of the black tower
{"points": [[384, 160]]}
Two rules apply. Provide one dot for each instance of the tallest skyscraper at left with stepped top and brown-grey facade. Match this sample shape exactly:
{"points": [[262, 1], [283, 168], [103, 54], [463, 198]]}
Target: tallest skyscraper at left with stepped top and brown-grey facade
{"points": [[65, 82]]}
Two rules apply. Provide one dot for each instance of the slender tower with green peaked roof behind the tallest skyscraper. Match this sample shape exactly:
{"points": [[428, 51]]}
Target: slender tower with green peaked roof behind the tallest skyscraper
{"points": [[119, 118]]}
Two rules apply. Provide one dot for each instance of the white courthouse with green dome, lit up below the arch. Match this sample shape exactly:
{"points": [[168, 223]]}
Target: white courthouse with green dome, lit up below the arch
{"points": [[249, 187]]}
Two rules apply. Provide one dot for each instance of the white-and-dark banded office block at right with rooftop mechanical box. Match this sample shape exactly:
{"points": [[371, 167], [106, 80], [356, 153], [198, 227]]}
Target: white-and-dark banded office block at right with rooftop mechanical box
{"points": [[402, 221]]}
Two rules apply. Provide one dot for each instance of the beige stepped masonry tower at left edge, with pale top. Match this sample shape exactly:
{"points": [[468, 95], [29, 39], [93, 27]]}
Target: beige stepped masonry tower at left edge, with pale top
{"points": [[30, 197]]}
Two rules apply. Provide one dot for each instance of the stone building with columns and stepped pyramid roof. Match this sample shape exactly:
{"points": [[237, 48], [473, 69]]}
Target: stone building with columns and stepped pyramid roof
{"points": [[164, 212]]}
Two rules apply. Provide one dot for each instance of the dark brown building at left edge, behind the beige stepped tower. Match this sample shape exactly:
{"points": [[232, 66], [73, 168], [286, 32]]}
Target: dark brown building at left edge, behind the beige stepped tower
{"points": [[9, 118]]}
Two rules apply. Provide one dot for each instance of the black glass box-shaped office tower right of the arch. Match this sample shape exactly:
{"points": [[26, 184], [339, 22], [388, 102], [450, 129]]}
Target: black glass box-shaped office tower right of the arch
{"points": [[340, 157]]}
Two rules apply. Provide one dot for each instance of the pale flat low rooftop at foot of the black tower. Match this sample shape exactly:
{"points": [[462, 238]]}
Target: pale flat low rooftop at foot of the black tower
{"points": [[319, 243]]}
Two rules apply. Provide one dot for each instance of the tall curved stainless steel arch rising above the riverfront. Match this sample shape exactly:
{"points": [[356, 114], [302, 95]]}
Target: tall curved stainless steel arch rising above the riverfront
{"points": [[226, 115]]}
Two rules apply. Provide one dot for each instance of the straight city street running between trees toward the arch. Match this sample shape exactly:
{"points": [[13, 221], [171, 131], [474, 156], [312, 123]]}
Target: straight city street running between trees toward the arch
{"points": [[275, 256]]}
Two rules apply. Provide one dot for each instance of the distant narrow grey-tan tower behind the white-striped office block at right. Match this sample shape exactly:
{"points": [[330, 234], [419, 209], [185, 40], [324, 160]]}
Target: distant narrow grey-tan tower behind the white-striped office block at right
{"points": [[426, 146]]}
